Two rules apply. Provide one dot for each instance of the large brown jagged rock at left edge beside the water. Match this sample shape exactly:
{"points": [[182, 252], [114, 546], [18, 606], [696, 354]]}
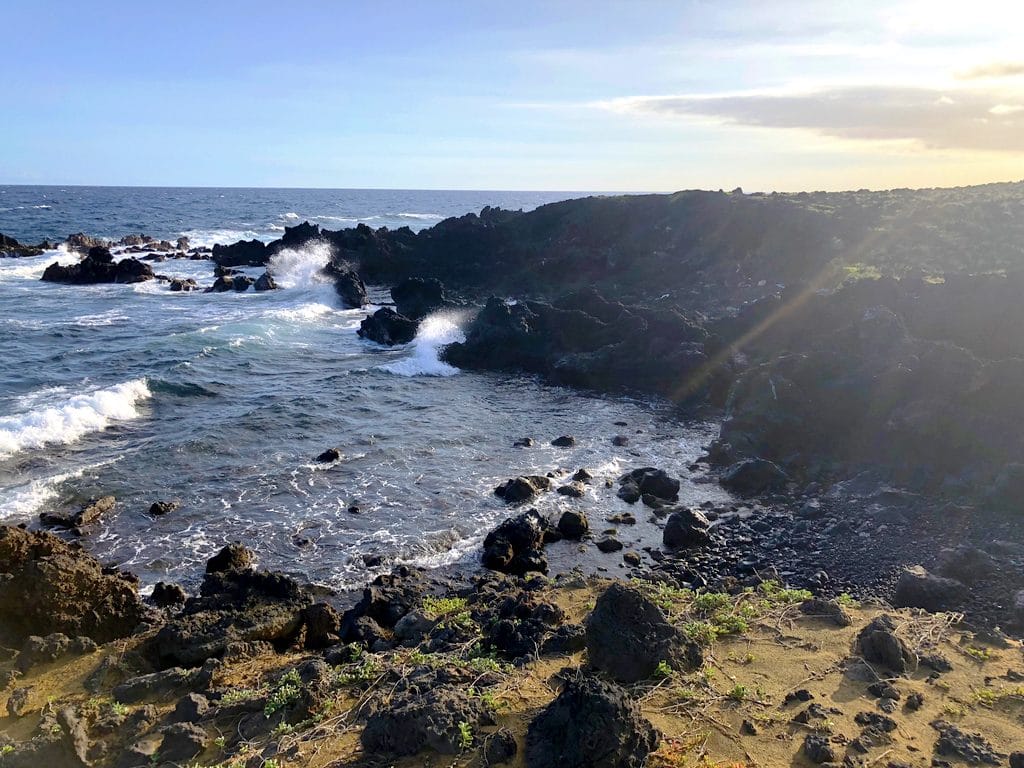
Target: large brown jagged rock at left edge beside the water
{"points": [[47, 586]]}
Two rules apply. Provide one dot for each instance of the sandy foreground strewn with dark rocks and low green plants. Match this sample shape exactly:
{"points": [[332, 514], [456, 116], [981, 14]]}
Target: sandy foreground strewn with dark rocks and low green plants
{"points": [[259, 670]]}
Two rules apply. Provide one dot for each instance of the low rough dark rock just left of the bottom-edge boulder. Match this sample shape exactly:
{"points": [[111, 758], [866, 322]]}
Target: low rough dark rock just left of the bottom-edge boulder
{"points": [[415, 719]]}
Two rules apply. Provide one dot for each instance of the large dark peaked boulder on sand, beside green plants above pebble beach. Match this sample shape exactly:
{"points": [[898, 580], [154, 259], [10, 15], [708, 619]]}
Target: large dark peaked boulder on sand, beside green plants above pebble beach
{"points": [[628, 637]]}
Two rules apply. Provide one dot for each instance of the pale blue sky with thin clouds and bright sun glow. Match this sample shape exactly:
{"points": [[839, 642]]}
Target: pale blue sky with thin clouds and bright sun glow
{"points": [[554, 95]]}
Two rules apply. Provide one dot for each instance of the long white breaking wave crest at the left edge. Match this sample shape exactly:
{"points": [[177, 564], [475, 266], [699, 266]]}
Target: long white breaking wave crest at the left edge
{"points": [[74, 418]]}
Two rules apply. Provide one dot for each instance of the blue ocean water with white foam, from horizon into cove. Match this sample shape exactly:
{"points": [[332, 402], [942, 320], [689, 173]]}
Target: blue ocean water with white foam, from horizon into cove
{"points": [[223, 401]]}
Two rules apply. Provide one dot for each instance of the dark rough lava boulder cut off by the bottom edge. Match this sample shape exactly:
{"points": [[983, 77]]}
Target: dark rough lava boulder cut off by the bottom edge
{"points": [[591, 724]]}
